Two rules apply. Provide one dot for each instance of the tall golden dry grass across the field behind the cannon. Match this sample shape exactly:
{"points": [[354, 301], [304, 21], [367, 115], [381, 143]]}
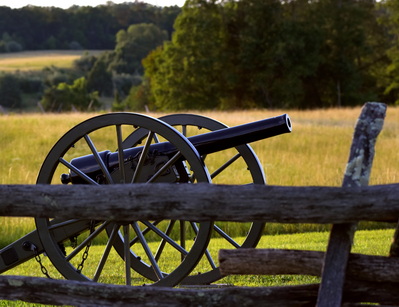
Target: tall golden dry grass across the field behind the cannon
{"points": [[315, 153]]}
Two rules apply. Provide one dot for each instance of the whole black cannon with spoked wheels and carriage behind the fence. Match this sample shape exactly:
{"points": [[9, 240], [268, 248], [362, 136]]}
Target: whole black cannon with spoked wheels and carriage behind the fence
{"points": [[144, 149]]}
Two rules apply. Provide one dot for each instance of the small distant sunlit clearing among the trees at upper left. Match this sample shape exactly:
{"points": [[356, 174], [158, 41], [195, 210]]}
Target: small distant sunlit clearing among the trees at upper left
{"points": [[37, 60]]}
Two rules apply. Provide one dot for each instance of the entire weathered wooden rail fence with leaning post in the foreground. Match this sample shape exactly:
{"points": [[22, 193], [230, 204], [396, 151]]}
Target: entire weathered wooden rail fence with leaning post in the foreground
{"points": [[346, 279]]}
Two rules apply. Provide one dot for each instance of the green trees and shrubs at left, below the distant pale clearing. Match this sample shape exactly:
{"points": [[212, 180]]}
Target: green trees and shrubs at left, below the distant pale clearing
{"points": [[91, 79]]}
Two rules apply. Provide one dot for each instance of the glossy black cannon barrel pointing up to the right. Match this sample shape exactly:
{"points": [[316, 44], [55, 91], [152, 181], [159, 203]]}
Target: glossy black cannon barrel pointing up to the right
{"points": [[205, 143]]}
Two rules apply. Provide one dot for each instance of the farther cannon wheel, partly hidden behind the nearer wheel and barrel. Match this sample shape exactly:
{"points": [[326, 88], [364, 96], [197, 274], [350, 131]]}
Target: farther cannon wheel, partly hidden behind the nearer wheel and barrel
{"points": [[189, 124]]}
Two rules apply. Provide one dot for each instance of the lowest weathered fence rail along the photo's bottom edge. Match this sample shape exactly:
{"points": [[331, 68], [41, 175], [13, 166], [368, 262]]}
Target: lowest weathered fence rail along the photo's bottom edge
{"points": [[68, 292]]}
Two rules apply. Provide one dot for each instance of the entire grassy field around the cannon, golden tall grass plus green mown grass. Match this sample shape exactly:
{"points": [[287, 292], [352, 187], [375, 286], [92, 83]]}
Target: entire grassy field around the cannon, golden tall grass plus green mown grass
{"points": [[315, 153]]}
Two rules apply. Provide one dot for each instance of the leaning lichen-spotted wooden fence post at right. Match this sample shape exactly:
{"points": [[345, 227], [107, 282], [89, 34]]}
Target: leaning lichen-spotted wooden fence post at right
{"points": [[357, 174]]}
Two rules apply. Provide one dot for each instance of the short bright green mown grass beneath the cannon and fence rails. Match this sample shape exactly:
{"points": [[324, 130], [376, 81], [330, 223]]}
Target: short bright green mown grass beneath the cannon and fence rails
{"points": [[374, 242]]}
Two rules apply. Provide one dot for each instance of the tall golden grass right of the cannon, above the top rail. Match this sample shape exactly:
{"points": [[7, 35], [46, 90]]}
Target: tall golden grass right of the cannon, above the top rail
{"points": [[316, 151]]}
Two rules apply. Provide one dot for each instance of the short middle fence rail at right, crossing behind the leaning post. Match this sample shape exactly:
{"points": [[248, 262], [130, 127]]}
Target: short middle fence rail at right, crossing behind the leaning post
{"points": [[246, 261]]}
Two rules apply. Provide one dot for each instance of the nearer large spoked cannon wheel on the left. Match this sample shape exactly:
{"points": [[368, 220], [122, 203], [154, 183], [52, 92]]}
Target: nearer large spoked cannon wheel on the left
{"points": [[86, 138]]}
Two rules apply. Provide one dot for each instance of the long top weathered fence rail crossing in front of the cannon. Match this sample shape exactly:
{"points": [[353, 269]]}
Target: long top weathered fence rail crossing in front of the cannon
{"points": [[203, 202]]}
